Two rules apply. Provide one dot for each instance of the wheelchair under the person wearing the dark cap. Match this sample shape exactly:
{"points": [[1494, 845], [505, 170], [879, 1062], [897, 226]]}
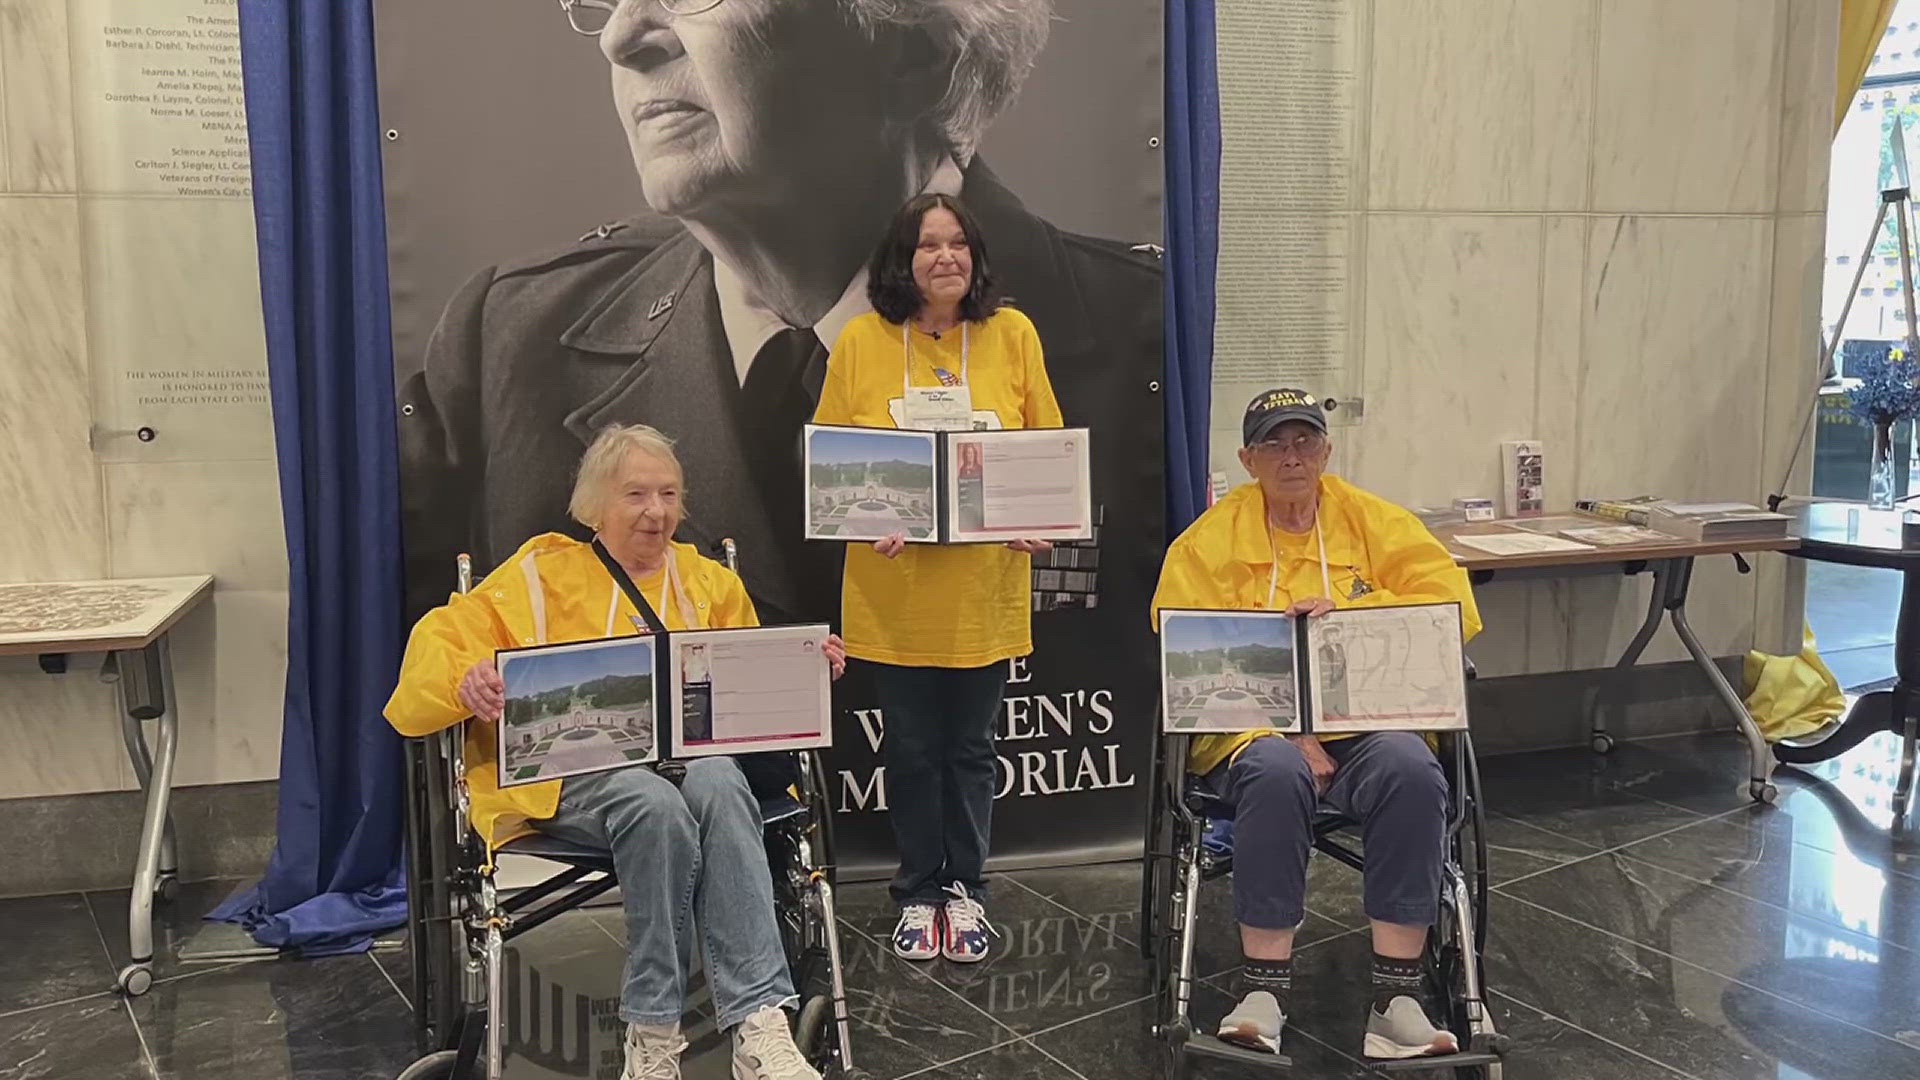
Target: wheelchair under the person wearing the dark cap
{"points": [[1189, 841]]}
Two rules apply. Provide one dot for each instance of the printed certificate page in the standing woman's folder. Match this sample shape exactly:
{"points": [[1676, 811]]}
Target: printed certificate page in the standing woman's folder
{"points": [[1019, 485]]}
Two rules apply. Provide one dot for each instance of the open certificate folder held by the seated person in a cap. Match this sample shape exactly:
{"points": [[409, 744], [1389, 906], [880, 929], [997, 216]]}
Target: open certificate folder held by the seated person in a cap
{"points": [[1356, 670]]}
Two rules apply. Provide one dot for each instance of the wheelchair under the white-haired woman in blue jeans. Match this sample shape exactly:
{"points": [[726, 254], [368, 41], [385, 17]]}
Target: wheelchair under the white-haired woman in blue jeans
{"points": [[460, 921]]}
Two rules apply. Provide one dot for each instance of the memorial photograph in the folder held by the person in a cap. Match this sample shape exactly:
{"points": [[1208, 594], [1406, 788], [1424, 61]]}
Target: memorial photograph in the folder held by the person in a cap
{"points": [[1228, 672]]}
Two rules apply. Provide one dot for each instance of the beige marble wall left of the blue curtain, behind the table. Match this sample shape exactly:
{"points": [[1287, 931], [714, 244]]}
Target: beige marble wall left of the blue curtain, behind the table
{"points": [[103, 283]]}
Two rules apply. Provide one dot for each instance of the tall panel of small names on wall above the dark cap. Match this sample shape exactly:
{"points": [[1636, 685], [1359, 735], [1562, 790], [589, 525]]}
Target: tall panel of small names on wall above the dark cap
{"points": [[1287, 174]]}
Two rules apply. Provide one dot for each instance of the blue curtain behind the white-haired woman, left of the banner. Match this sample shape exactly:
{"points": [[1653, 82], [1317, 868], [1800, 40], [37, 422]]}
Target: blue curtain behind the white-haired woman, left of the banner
{"points": [[312, 114]]}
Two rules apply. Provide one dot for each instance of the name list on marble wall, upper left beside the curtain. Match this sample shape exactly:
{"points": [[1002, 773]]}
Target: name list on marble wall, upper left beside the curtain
{"points": [[160, 99]]}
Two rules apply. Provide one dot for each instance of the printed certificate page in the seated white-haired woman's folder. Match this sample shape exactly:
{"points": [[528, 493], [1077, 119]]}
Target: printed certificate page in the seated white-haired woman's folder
{"points": [[750, 691]]}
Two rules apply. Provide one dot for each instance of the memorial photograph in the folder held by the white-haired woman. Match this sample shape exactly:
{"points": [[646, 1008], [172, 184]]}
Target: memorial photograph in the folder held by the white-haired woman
{"points": [[577, 710]]}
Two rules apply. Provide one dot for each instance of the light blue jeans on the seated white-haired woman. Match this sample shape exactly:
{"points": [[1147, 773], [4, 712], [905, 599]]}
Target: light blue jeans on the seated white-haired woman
{"points": [[692, 852]]}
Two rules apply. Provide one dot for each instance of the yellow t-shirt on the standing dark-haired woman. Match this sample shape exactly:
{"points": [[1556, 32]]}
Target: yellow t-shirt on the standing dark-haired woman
{"points": [[938, 606]]}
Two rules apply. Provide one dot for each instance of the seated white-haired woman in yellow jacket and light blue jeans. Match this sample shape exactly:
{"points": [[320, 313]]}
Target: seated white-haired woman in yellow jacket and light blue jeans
{"points": [[684, 854]]}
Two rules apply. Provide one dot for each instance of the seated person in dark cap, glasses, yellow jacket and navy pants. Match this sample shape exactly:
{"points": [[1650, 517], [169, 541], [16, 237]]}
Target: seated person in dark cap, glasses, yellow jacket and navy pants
{"points": [[1305, 541]]}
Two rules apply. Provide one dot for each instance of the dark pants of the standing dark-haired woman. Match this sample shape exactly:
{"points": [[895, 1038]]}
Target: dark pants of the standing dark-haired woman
{"points": [[940, 773]]}
